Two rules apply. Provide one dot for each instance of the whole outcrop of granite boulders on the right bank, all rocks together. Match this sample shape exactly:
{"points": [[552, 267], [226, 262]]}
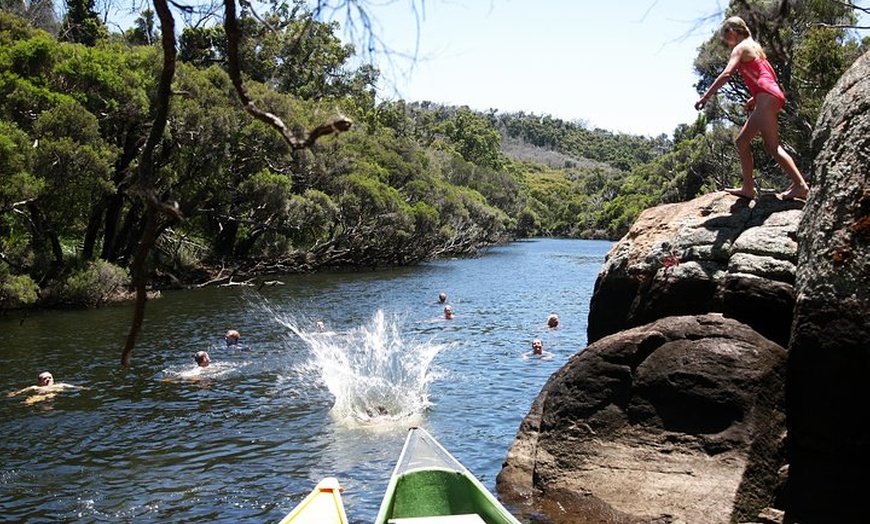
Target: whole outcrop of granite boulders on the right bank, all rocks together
{"points": [[676, 415]]}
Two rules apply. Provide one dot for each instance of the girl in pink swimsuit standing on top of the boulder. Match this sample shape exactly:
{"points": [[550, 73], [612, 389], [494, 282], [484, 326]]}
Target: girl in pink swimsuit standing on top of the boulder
{"points": [[748, 58]]}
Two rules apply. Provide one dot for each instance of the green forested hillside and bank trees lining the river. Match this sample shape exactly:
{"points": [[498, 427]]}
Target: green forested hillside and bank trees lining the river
{"points": [[409, 181]]}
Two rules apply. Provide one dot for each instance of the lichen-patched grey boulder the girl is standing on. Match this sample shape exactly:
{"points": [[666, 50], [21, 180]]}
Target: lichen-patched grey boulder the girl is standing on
{"points": [[717, 253]]}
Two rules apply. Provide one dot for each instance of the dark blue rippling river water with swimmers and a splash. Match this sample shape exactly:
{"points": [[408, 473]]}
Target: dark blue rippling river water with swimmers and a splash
{"points": [[246, 438]]}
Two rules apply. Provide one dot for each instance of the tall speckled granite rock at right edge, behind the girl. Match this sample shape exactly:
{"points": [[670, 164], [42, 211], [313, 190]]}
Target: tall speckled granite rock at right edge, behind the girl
{"points": [[828, 402]]}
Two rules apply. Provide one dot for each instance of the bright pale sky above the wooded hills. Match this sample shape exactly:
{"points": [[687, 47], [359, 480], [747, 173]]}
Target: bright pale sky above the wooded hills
{"points": [[619, 65]]}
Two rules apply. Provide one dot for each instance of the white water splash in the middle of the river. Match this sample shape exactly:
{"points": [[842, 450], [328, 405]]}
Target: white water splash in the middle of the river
{"points": [[375, 375]]}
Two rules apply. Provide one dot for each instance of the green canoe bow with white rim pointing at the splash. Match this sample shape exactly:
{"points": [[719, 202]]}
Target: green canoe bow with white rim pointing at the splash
{"points": [[429, 486]]}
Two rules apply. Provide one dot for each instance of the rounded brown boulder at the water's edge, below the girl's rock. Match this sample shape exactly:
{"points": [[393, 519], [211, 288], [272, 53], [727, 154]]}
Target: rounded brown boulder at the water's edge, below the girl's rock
{"points": [[678, 420]]}
